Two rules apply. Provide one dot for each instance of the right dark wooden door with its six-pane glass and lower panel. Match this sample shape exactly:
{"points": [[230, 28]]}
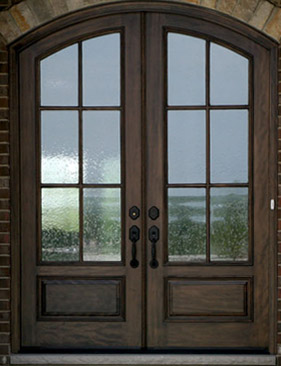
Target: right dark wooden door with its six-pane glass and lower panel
{"points": [[207, 173]]}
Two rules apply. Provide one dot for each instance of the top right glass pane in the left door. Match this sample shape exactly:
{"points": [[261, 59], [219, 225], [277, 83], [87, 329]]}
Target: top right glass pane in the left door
{"points": [[101, 71]]}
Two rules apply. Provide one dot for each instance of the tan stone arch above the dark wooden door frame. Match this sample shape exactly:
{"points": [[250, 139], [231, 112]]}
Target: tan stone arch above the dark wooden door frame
{"points": [[28, 15]]}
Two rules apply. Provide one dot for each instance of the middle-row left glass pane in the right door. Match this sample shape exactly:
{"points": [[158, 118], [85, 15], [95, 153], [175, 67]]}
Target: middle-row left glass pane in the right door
{"points": [[186, 147]]}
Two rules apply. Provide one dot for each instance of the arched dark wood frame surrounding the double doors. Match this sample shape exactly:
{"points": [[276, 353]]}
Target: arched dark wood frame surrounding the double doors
{"points": [[187, 10]]}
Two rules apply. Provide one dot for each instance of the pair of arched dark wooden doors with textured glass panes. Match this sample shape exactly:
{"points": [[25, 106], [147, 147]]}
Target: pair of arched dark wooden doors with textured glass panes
{"points": [[144, 187]]}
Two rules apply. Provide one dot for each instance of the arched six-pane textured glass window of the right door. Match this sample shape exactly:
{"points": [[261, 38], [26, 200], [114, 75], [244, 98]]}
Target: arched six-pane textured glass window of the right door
{"points": [[208, 177]]}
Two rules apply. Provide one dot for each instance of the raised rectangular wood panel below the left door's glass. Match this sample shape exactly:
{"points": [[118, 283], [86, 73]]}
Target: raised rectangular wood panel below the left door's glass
{"points": [[73, 297]]}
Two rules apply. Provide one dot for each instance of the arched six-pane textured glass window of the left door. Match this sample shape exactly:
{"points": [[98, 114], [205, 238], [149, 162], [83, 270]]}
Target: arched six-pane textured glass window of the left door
{"points": [[80, 149]]}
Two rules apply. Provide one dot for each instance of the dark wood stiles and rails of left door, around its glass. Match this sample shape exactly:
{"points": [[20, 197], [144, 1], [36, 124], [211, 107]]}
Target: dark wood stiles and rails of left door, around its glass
{"points": [[118, 303]]}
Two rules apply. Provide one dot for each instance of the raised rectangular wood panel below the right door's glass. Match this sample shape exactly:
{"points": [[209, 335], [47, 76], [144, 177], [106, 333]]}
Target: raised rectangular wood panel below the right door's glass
{"points": [[225, 298]]}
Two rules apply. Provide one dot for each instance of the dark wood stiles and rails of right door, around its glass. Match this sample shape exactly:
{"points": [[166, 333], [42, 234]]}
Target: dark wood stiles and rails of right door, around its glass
{"points": [[227, 333]]}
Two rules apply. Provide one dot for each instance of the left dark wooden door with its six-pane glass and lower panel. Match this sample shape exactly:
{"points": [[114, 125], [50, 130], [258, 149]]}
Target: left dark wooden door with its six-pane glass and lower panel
{"points": [[79, 129]]}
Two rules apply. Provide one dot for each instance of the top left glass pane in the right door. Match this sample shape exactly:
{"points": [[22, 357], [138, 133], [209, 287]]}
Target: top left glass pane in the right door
{"points": [[186, 70]]}
